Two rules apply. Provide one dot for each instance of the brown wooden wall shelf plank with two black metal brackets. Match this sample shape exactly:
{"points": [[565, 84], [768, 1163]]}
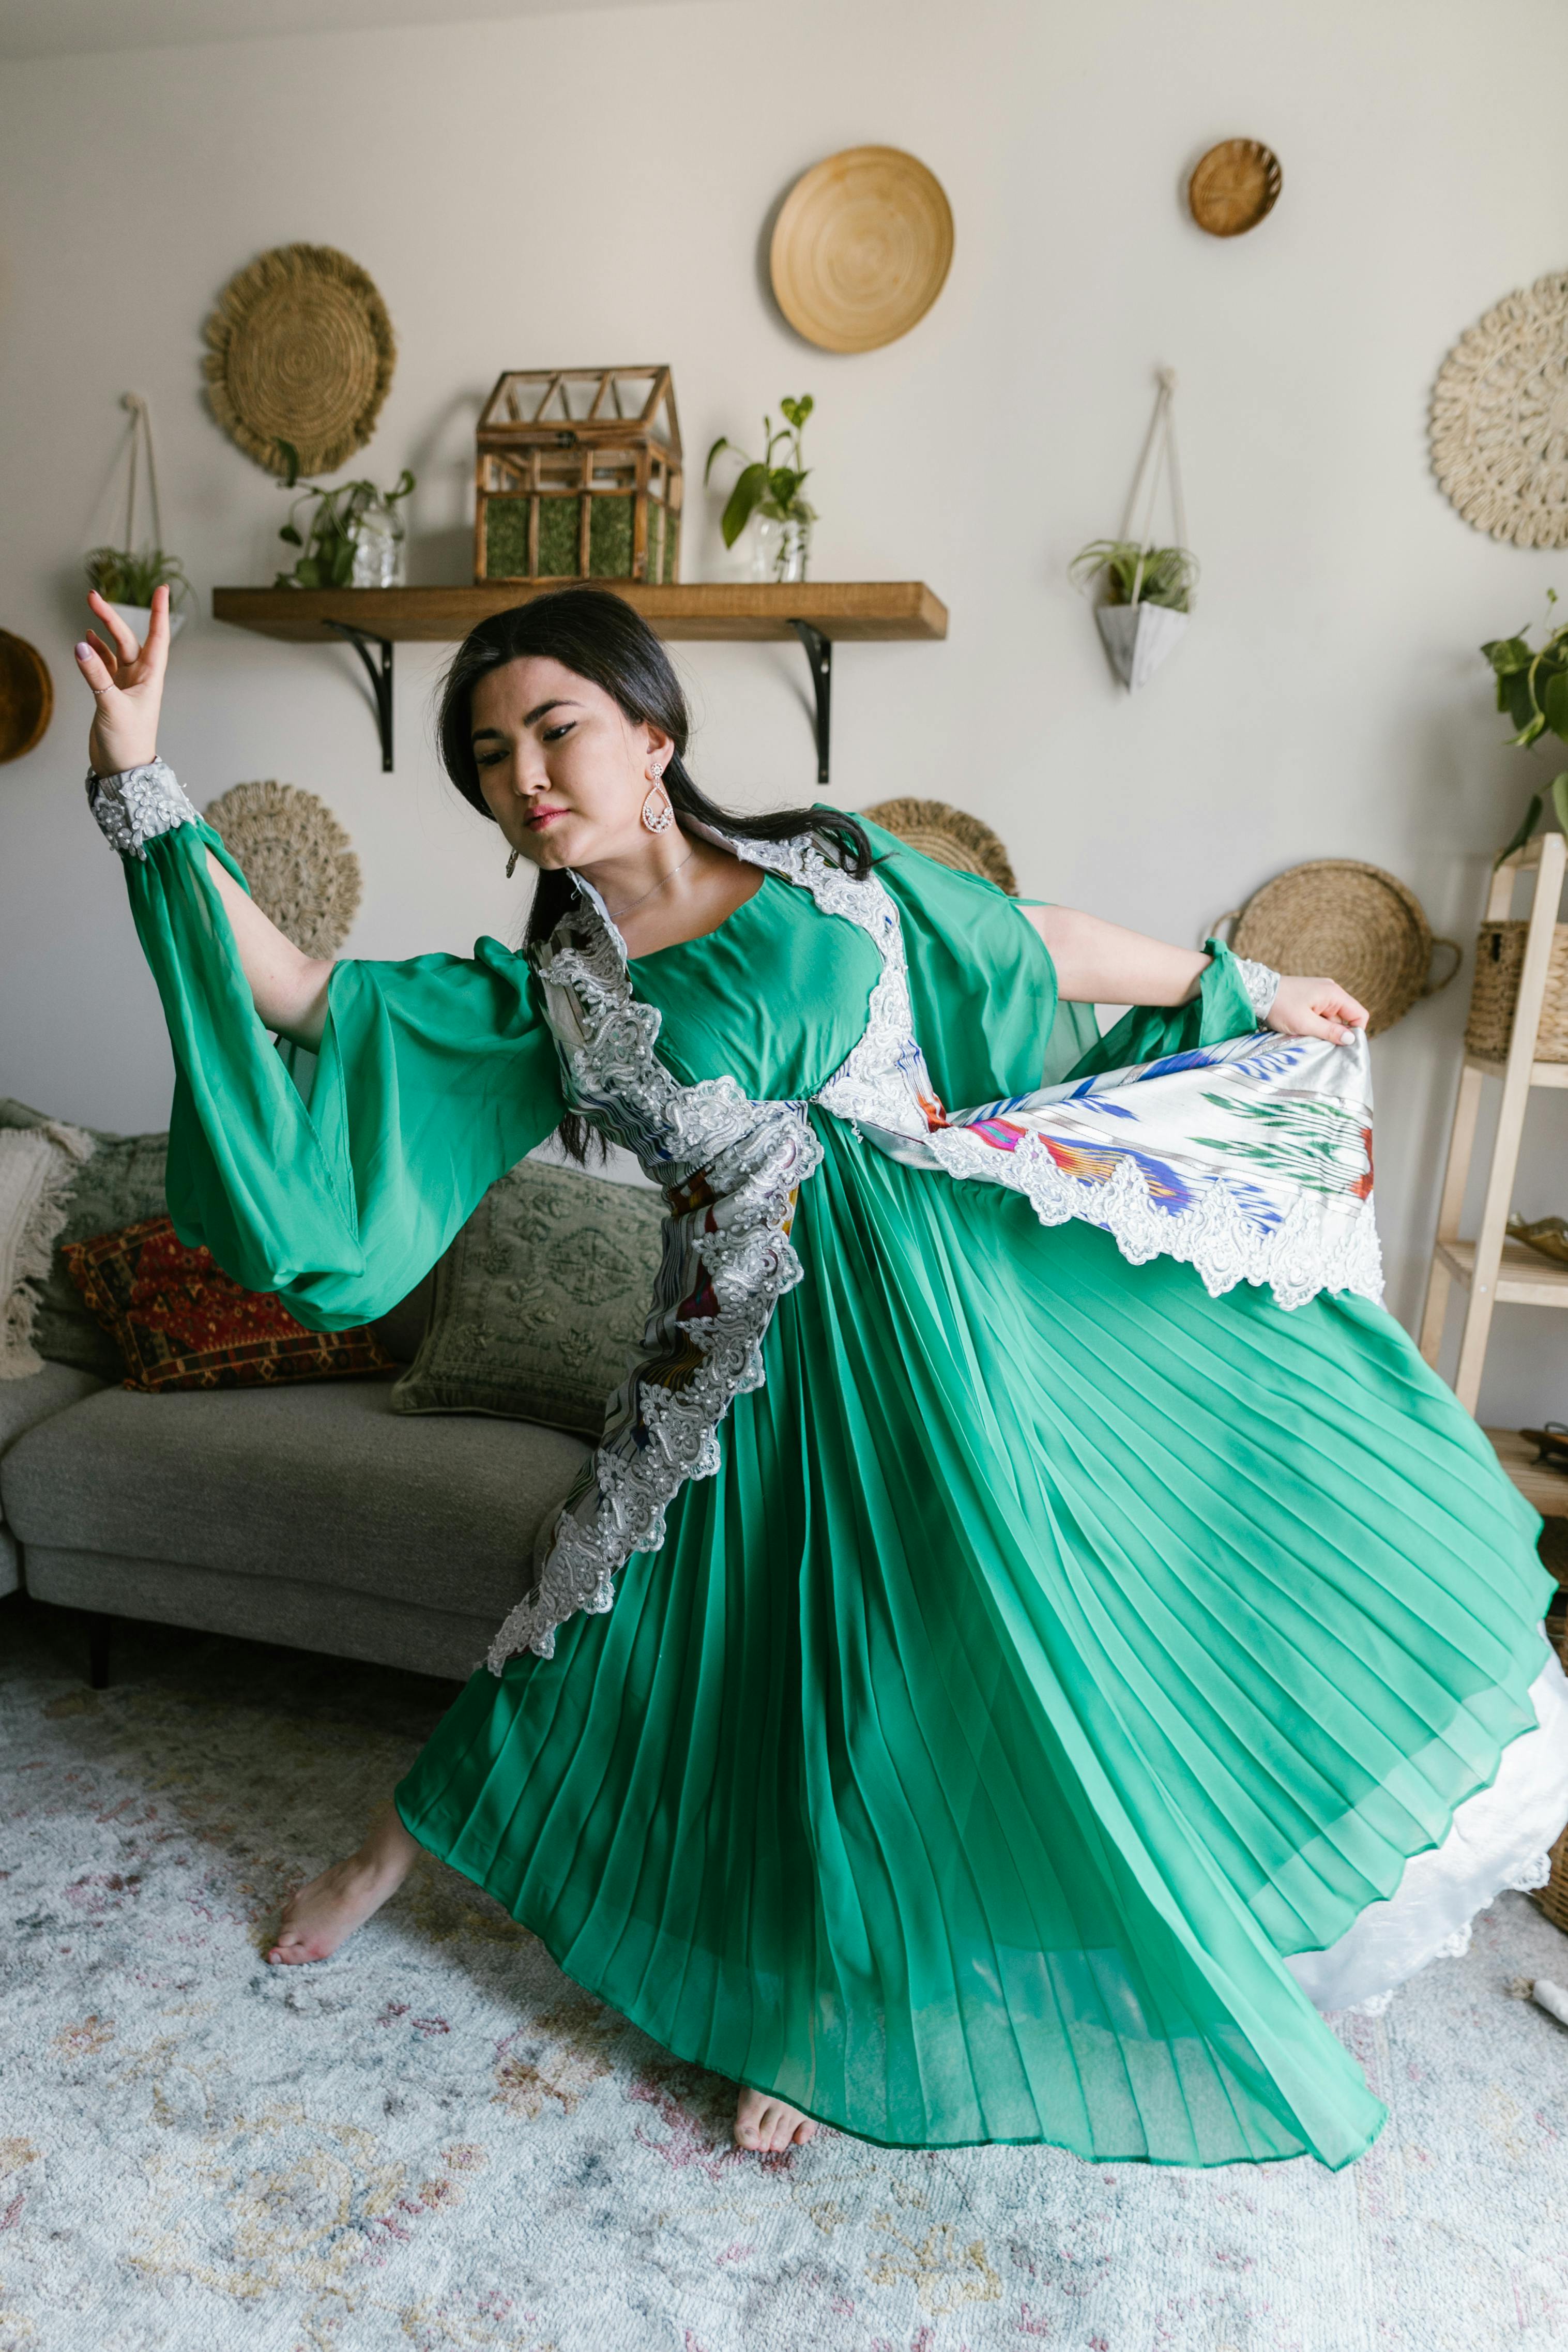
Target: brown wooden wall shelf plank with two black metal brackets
{"points": [[817, 613]]}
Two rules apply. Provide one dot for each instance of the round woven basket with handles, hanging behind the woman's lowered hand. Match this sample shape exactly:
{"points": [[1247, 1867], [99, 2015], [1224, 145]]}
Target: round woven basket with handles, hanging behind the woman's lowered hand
{"points": [[1355, 926]]}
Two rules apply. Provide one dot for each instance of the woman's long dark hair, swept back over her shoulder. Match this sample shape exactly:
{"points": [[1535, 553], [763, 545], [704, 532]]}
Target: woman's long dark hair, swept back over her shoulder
{"points": [[598, 636]]}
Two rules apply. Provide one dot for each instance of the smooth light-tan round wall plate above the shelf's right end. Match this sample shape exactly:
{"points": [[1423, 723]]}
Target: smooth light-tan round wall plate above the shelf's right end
{"points": [[862, 248]]}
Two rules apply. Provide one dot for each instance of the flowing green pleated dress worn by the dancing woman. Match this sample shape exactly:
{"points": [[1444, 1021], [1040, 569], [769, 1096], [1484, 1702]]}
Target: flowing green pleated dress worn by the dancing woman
{"points": [[1054, 1652]]}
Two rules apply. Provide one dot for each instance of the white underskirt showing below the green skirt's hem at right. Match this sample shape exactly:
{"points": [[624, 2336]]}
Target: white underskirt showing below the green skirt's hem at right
{"points": [[1499, 1840]]}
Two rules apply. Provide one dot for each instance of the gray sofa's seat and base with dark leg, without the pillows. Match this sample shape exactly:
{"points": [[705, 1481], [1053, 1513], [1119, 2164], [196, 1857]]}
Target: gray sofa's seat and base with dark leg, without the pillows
{"points": [[309, 1516]]}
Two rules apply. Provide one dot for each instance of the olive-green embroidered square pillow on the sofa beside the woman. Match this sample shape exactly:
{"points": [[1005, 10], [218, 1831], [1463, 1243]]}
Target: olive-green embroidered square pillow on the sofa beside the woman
{"points": [[542, 1302]]}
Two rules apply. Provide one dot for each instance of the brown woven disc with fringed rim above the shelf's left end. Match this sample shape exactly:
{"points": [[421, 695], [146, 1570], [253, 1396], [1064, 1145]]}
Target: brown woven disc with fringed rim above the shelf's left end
{"points": [[300, 352]]}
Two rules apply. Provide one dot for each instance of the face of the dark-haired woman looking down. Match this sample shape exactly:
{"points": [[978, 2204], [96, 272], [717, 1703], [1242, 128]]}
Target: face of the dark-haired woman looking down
{"points": [[561, 766]]}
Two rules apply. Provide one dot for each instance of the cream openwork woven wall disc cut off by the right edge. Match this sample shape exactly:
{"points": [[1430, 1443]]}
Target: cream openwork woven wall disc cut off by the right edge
{"points": [[1501, 420]]}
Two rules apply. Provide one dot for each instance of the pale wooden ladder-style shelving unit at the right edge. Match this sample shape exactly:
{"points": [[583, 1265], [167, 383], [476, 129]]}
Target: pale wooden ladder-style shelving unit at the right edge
{"points": [[1492, 1269]]}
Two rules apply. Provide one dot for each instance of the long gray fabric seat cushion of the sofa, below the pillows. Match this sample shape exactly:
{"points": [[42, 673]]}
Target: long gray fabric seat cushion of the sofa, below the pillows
{"points": [[319, 1483]]}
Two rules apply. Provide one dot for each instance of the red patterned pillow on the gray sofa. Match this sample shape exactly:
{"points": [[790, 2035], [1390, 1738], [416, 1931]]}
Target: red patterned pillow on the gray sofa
{"points": [[185, 1323]]}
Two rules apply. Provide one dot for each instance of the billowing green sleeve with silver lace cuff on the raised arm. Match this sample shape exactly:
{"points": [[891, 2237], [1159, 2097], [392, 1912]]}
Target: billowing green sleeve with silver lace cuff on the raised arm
{"points": [[434, 1078]]}
